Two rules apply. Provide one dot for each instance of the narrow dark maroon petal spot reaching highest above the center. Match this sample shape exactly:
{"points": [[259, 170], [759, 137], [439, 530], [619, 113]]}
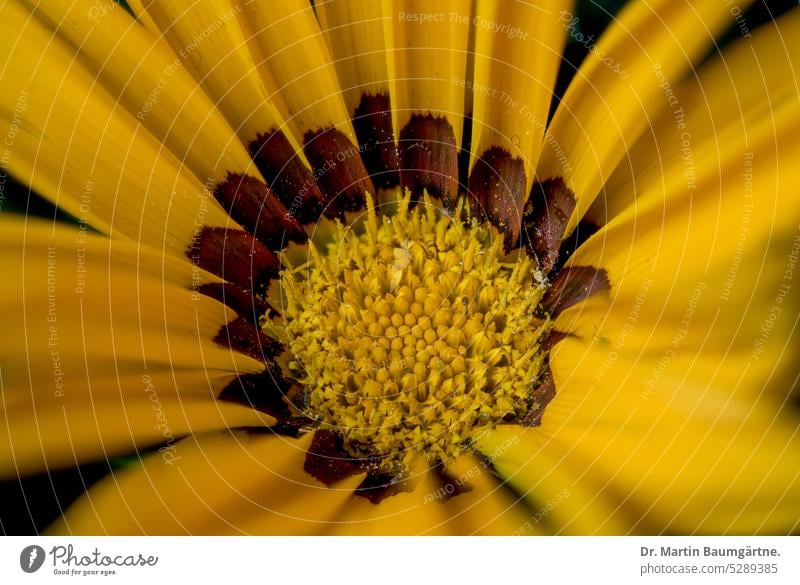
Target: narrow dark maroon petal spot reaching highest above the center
{"points": [[372, 121]]}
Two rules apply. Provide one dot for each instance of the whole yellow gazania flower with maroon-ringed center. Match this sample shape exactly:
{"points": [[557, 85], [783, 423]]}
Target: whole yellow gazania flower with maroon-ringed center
{"points": [[337, 270]]}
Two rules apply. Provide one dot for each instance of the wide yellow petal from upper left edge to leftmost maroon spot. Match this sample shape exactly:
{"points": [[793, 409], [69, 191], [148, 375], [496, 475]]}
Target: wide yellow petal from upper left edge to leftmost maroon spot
{"points": [[73, 143]]}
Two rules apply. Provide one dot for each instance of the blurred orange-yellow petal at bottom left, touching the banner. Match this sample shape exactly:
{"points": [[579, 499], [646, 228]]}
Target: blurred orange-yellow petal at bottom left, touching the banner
{"points": [[225, 483]]}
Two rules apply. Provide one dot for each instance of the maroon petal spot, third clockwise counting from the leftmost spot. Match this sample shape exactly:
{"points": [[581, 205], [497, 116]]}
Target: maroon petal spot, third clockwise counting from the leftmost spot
{"points": [[287, 176]]}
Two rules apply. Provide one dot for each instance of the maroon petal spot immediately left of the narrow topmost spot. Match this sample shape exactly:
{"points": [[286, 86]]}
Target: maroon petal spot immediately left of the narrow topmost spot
{"points": [[338, 170]]}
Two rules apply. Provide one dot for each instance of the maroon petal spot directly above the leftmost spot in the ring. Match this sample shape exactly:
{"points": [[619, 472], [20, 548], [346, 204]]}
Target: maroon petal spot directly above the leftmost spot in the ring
{"points": [[252, 204]]}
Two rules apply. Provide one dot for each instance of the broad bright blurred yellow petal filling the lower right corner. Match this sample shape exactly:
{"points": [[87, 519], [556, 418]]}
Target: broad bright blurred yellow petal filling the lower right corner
{"points": [[683, 450]]}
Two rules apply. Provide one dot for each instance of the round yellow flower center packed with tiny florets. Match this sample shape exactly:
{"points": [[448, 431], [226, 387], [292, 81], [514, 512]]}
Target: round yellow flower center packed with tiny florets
{"points": [[411, 332]]}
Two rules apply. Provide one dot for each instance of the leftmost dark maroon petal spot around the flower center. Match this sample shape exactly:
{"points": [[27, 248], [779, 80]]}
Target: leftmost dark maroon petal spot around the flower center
{"points": [[235, 256]]}
